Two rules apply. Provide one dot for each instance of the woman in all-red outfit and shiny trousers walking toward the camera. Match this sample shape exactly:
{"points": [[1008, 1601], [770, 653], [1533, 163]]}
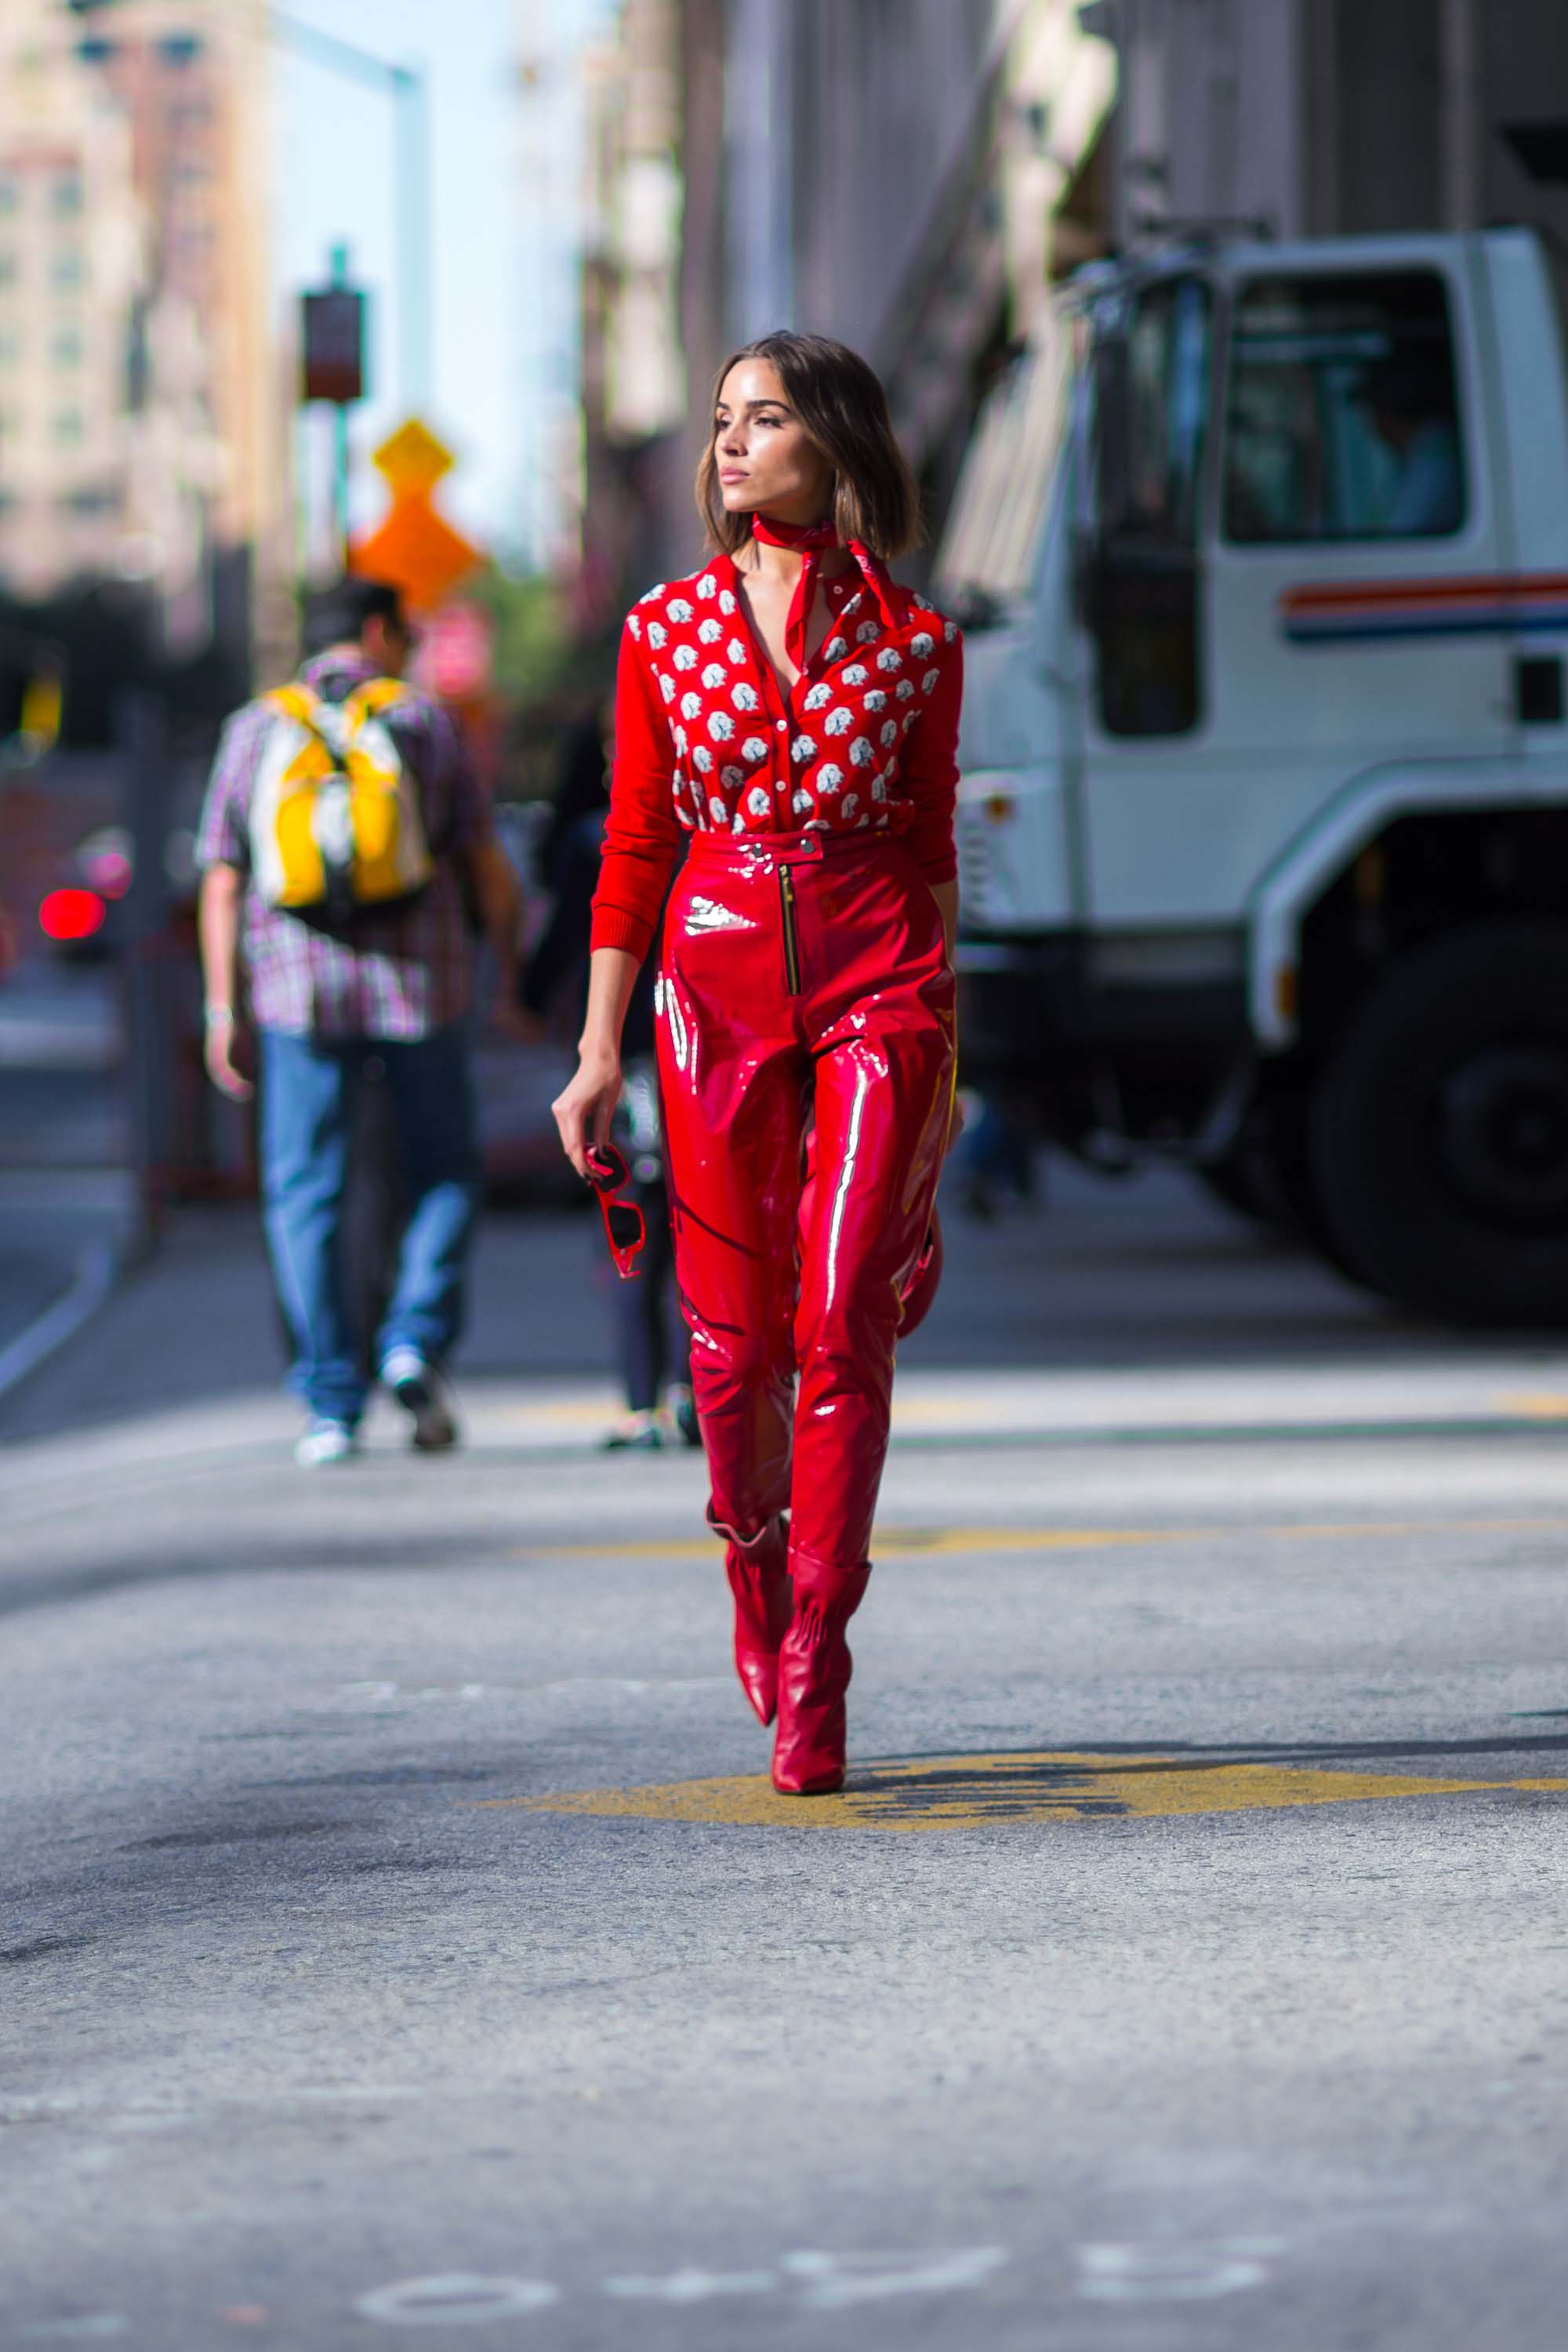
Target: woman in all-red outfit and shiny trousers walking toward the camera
{"points": [[796, 714]]}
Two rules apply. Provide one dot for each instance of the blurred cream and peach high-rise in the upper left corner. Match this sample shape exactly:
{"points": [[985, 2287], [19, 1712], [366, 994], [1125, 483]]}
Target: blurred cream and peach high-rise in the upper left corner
{"points": [[142, 399]]}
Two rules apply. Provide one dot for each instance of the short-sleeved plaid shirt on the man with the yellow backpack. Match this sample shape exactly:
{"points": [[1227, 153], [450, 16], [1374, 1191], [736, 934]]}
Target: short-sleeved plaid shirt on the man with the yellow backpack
{"points": [[406, 973]]}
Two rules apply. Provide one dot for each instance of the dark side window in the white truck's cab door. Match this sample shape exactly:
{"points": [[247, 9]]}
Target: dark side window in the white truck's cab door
{"points": [[1343, 415]]}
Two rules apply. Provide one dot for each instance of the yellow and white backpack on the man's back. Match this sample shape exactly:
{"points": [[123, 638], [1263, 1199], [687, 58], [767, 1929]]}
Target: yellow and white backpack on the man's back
{"points": [[335, 813]]}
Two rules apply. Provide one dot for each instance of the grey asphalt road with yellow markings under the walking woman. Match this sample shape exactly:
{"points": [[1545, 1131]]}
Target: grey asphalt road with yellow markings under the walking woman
{"points": [[401, 1946]]}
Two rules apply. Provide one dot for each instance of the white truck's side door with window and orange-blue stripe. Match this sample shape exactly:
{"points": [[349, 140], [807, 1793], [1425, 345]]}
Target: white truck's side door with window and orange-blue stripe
{"points": [[1341, 573]]}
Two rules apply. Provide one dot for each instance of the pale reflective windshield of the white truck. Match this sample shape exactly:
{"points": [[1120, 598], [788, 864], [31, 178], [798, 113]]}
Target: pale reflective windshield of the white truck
{"points": [[991, 547]]}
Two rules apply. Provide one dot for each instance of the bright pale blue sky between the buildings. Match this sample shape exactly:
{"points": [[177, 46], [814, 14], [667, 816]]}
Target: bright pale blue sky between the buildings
{"points": [[504, 239]]}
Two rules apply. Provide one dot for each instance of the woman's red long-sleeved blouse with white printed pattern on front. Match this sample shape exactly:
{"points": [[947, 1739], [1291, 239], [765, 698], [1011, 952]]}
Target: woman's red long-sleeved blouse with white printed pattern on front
{"points": [[709, 742]]}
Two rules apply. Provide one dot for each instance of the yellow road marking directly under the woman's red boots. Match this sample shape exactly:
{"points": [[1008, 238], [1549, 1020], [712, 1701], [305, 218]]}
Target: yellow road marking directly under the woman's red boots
{"points": [[974, 1793]]}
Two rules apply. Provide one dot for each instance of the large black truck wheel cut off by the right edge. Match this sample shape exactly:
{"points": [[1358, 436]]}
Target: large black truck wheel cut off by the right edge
{"points": [[1440, 1130]]}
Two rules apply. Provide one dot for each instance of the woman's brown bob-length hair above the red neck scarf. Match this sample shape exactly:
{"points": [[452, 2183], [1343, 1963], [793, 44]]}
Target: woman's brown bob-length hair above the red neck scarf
{"points": [[843, 408]]}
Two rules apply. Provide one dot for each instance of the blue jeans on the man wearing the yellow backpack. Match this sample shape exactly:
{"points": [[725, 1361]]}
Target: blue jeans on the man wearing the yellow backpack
{"points": [[309, 1093]]}
